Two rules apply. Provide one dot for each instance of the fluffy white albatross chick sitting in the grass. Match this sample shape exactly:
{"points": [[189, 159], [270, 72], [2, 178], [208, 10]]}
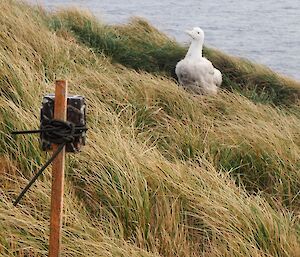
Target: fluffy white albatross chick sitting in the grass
{"points": [[195, 73]]}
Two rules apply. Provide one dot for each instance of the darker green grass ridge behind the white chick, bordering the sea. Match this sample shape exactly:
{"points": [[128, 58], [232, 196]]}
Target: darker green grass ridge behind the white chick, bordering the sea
{"points": [[141, 47]]}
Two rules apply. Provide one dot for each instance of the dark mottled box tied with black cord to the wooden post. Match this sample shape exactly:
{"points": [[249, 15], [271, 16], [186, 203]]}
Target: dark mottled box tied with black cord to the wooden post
{"points": [[76, 113]]}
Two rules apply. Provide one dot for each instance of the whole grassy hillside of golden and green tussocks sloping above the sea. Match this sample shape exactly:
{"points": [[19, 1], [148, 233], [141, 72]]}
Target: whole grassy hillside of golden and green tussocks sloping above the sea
{"points": [[165, 172]]}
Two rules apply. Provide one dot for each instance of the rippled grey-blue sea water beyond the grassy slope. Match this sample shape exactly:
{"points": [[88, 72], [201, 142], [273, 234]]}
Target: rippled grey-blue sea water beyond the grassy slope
{"points": [[264, 31]]}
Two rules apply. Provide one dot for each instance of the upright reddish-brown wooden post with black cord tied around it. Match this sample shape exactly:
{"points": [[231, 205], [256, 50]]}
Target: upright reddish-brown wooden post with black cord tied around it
{"points": [[57, 191]]}
